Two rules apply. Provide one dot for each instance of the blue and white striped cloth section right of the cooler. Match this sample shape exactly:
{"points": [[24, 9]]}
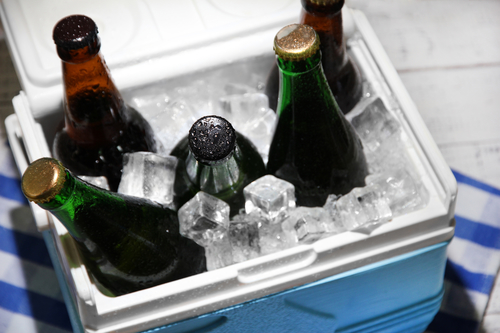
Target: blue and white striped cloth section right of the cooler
{"points": [[473, 258]]}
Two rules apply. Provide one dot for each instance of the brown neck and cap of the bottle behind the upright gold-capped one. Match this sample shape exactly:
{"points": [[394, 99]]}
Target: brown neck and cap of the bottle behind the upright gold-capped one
{"points": [[327, 21]]}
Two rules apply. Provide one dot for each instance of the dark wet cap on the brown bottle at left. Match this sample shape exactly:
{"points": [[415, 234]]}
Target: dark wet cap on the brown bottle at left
{"points": [[74, 32]]}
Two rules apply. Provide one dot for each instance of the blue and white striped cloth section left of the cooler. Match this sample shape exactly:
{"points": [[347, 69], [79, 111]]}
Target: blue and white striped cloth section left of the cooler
{"points": [[30, 297]]}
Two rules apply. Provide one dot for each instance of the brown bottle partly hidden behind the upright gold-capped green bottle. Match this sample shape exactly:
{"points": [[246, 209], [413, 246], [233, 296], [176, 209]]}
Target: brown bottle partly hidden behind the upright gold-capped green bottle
{"points": [[342, 74]]}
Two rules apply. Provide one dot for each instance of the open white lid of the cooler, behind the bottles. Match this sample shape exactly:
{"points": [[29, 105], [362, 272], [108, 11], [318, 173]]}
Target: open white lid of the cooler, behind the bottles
{"points": [[137, 32]]}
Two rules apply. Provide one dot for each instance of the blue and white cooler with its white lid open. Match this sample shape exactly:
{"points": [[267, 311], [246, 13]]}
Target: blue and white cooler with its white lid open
{"points": [[389, 279]]}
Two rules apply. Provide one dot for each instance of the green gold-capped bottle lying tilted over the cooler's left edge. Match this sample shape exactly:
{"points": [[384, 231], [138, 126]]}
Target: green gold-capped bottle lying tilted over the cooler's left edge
{"points": [[127, 243]]}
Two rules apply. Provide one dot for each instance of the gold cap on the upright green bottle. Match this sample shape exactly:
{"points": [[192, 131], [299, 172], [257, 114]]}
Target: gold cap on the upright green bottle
{"points": [[296, 42]]}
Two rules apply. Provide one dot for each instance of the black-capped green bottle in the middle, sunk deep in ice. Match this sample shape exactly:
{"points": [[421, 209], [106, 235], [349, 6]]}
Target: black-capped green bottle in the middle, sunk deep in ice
{"points": [[216, 159]]}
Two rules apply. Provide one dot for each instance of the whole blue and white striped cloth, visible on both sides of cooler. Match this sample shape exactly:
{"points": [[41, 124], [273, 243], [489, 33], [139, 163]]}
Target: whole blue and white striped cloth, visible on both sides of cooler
{"points": [[31, 301]]}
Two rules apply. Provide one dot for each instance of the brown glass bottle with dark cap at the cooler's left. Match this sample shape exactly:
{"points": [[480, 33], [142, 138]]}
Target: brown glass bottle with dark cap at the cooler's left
{"points": [[99, 127]]}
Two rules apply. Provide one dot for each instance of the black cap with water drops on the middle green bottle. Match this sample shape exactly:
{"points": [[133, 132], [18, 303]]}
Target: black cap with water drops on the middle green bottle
{"points": [[211, 138]]}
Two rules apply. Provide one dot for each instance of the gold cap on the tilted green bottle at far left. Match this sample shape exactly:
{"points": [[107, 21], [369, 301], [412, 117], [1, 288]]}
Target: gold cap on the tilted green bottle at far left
{"points": [[43, 180]]}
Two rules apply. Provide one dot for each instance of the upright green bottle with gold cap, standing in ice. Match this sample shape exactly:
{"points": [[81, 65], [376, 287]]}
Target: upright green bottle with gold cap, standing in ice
{"points": [[314, 147]]}
